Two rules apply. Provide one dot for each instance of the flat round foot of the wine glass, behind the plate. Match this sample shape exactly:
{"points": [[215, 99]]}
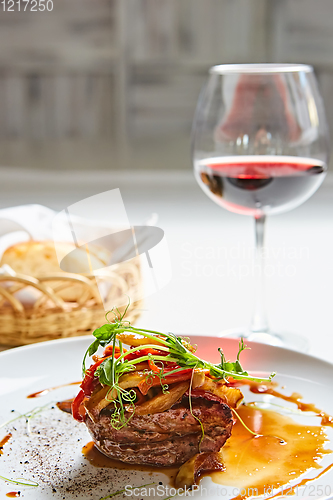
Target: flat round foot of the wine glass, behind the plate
{"points": [[283, 339]]}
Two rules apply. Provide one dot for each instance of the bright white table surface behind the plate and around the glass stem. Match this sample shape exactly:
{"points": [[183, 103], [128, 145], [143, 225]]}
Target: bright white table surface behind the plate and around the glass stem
{"points": [[300, 247]]}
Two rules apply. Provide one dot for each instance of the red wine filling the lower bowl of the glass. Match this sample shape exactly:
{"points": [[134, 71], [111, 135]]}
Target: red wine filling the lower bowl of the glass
{"points": [[259, 184]]}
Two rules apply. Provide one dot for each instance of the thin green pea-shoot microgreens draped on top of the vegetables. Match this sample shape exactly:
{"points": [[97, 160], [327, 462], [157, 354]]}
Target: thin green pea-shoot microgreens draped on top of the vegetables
{"points": [[169, 349]]}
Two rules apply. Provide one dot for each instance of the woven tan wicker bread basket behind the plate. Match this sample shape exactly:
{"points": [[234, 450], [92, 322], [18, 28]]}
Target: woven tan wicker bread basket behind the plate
{"points": [[52, 316]]}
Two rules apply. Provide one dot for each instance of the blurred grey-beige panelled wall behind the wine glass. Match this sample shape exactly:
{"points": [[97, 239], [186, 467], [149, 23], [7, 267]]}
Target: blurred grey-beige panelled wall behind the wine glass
{"points": [[112, 84]]}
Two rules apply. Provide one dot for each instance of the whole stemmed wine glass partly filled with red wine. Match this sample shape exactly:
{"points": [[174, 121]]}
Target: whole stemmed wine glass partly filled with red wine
{"points": [[260, 147]]}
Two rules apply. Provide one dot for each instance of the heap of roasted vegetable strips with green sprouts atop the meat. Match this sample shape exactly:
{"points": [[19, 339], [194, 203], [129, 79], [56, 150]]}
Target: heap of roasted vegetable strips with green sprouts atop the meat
{"points": [[154, 359]]}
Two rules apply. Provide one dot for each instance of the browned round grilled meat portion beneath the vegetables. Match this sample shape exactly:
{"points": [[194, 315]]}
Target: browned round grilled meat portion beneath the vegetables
{"points": [[167, 438]]}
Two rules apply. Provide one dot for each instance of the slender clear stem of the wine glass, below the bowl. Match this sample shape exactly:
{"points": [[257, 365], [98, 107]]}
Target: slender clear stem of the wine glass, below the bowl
{"points": [[259, 320]]}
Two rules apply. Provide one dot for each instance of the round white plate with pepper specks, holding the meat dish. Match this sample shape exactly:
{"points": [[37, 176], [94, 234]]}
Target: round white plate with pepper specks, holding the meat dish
{"points": [[53, 450]]}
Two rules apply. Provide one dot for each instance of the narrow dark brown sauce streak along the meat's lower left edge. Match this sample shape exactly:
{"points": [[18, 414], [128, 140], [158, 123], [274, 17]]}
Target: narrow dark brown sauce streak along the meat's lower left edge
{"points": [[98, 459]]}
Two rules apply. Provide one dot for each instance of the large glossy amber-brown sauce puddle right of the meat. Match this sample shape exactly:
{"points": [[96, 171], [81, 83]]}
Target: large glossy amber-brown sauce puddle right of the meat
{"points": [[285, 450]]}
